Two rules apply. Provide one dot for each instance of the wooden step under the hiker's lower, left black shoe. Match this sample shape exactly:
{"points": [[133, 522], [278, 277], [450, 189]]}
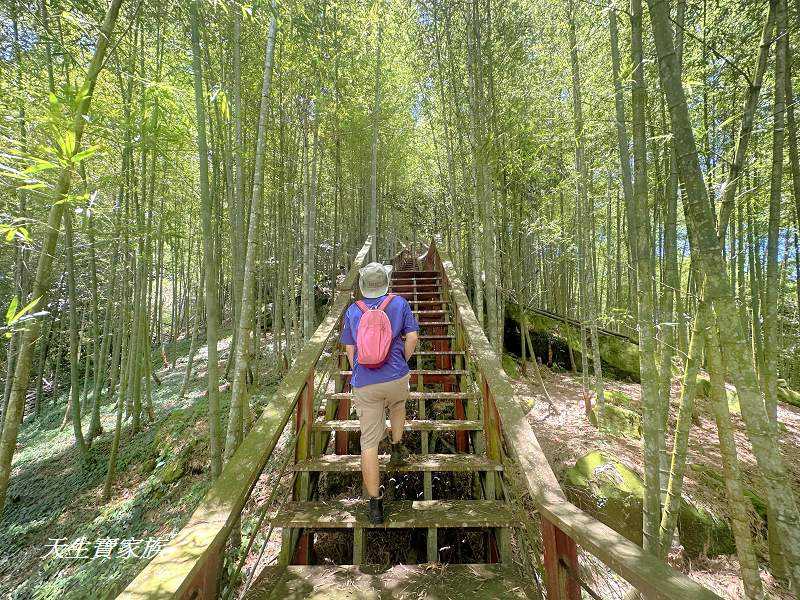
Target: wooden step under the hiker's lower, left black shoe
{"points": [[350, 513]]}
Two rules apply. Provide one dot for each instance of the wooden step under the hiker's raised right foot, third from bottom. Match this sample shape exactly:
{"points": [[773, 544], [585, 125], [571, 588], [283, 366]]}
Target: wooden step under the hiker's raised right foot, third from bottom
{"points": [[351, 463]]}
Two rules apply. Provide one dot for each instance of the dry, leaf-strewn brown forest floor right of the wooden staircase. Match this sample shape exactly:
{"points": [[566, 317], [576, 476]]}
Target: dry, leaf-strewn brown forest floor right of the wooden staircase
{"points": [[566, 435]]}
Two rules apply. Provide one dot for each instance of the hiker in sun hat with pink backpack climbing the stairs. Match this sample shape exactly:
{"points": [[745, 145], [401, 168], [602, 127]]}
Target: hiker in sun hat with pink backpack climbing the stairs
{"points": [[372, 335]]}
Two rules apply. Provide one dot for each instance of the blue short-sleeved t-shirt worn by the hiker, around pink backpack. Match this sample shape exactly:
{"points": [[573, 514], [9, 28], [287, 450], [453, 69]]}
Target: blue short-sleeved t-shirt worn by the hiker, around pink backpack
{"points": [[403, 321]]}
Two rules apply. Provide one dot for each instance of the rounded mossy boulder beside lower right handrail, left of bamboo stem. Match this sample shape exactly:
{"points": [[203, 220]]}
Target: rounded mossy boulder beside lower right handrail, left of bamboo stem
{"points": [[609, 491]]}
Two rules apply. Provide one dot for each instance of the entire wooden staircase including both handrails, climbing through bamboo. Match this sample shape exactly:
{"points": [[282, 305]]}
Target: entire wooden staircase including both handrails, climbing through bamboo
{"points": [[466, 423]]}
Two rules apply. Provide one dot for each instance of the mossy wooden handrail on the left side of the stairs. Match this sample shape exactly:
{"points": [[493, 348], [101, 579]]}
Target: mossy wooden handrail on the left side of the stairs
{"points": [[174, 572]]}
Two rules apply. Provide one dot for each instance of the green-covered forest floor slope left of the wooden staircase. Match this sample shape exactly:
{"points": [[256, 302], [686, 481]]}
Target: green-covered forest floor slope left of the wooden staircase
{"points": [[54, 495]]}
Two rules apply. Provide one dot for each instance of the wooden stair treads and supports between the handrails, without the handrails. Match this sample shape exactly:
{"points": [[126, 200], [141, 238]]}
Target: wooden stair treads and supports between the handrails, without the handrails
{"points": [[444, 402]]}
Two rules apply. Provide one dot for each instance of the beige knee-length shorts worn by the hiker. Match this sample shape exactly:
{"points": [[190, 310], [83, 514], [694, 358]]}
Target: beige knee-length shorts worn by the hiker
{"points": [[371, 402]]}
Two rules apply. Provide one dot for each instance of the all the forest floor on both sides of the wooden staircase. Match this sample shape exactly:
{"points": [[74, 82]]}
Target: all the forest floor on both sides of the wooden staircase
{"points": [[163, 475]]}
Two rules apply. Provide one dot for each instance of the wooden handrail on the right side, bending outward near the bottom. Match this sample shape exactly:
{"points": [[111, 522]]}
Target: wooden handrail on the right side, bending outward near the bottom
{"points": [[646, 572]]}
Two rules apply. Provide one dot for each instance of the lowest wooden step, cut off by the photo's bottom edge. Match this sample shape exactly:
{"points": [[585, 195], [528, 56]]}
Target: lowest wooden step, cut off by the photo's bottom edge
{"points": [[383, 582]]}
